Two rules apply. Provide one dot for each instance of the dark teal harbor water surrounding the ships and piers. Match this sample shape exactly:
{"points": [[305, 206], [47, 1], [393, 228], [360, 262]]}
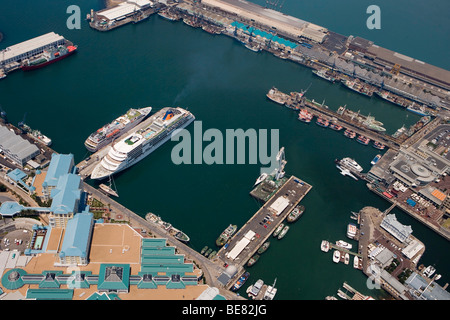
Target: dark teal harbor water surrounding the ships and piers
{"points": [[160, 63]]}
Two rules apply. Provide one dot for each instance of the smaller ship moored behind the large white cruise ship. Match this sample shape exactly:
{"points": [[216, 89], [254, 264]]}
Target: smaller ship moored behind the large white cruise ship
{"points": [[116, 128]]}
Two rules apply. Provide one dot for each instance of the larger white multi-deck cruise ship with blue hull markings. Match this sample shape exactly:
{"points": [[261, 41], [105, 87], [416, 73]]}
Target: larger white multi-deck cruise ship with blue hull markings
{"points": [[136, 146]]}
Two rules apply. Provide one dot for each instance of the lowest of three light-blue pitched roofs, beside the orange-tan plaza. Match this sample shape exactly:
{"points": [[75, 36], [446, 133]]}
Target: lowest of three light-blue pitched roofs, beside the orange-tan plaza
{"points": [[77, 236]]}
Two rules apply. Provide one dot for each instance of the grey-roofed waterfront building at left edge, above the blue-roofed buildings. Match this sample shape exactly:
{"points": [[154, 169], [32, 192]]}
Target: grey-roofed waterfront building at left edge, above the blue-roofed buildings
{"points": [[15, 148]]}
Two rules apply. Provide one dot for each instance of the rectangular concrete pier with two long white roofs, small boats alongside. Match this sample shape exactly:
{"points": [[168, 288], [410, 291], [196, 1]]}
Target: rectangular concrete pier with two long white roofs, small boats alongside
{"points": [[240, 249]]}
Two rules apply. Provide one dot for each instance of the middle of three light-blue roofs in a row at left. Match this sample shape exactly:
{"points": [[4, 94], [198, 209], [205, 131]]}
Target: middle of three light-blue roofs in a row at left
{"points": [[67, 194]]}
